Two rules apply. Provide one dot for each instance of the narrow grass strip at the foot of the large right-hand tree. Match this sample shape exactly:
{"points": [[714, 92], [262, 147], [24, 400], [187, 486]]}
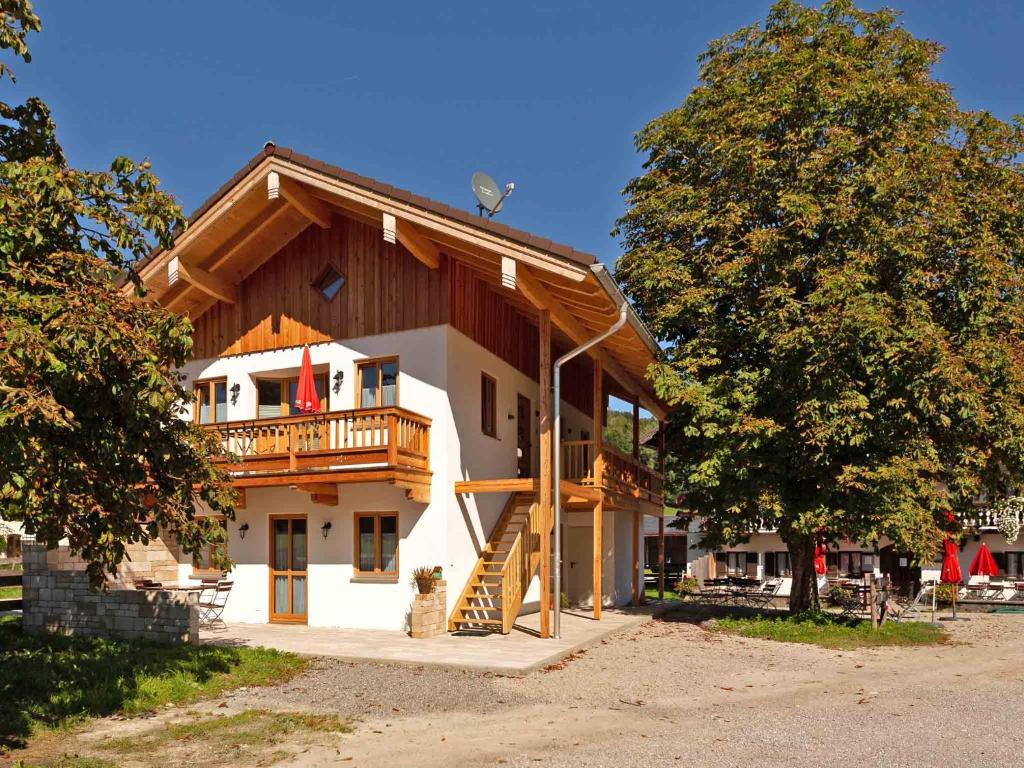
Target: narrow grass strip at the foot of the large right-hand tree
{"points": [[831, 632]]}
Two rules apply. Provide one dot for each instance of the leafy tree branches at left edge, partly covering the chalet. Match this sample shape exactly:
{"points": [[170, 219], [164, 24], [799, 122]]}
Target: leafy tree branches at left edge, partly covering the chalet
{"points": [[93, 447]]}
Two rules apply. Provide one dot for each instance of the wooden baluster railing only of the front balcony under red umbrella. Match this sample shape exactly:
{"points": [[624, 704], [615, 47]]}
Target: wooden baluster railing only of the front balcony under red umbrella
{"points": [[337, 440]]}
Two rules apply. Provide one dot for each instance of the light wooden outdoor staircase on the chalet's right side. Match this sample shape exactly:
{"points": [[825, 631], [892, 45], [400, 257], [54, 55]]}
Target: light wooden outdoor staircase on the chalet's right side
{"points": [[494, 593]]}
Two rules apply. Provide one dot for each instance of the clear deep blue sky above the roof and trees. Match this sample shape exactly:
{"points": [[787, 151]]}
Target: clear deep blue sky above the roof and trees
{"points": [[421, 95]]}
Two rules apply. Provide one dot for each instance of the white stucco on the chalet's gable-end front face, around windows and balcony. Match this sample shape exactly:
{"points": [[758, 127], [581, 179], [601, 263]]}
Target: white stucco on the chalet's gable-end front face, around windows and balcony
{"points": [[334, 600]]}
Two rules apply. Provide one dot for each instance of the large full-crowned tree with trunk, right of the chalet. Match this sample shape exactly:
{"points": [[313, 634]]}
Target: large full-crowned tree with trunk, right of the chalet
{"points": [[832, 248]]}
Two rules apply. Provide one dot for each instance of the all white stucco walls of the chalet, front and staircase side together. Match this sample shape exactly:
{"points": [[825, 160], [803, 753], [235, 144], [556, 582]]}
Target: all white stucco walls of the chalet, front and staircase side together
{"points": [[440, 377]]}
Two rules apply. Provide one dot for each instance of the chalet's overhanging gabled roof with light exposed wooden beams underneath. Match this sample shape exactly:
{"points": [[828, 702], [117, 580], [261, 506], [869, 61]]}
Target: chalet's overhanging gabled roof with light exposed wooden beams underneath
{"points": [[279, 194]]}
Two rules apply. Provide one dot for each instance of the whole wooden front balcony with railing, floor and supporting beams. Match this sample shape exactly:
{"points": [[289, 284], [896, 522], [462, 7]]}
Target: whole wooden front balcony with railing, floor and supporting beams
{"points": [[390, 445]]}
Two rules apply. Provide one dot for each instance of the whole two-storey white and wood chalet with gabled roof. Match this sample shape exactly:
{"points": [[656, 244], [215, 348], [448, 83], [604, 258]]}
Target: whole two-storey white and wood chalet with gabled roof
{"points": [[432, 335]]}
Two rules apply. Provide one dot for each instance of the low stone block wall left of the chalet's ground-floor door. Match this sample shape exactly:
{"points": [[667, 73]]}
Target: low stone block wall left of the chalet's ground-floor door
{"points": [[58, 599]]}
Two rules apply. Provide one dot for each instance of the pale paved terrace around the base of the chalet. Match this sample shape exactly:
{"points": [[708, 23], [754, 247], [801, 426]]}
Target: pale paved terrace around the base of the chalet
{"points": [[520, 653]]}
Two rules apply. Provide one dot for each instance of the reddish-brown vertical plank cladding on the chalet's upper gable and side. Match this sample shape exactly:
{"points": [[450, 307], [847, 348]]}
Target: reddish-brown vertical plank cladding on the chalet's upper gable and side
{"points": [[387, 290]]}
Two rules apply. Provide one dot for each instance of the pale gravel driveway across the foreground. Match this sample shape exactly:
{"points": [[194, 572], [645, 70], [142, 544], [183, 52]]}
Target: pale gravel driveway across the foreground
{"points": [[671, 694]]}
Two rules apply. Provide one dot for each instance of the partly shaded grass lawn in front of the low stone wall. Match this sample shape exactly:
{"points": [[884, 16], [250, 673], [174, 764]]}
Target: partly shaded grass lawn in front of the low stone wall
{"points": [[52, 681]]}
